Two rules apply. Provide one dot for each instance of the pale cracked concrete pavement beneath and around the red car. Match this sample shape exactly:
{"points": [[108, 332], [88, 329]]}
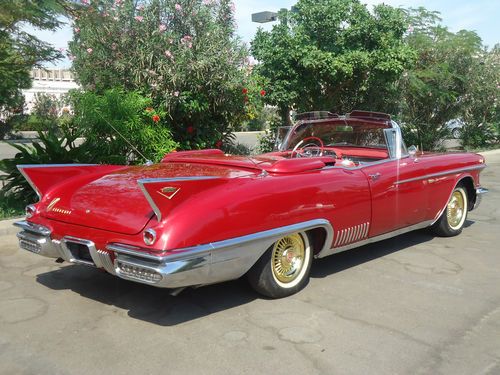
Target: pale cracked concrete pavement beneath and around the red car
{"points": [[414, 304]]}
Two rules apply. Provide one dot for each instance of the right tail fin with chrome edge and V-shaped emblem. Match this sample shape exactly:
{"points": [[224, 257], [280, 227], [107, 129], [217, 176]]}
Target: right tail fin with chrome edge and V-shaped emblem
{"points": [[160, 192]]}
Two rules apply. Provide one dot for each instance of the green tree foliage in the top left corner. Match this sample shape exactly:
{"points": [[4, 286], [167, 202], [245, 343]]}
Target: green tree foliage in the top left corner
{"points": [[21, 51]]}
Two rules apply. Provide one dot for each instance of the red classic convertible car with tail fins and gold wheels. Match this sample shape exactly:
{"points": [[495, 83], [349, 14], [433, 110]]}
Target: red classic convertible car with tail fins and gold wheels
{"points": [[202, 217]]}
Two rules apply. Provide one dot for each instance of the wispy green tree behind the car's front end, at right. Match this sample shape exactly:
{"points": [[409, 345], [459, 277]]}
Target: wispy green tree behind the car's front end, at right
{"points": [[440, 85]]}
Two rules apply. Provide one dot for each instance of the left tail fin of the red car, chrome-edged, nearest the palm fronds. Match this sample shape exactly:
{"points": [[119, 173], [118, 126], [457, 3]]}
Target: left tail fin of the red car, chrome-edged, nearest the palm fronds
{"points": [[42, 177]]}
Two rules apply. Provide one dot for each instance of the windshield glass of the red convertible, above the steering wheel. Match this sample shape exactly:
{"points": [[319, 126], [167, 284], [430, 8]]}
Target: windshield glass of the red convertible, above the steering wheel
{"points": [[338, 133]]}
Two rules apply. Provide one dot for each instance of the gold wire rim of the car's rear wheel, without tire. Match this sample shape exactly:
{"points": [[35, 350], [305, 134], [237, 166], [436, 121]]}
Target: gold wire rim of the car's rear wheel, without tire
{"points": [[288, 257]]}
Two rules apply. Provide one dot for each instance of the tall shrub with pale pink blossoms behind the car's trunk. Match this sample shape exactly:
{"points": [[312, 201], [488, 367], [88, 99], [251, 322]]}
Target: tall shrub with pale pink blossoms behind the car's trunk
{"points": [[183, 54]]}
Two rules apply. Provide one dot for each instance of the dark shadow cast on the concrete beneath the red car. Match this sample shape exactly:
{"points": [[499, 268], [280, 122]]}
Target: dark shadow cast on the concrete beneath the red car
{"points": [[157, 306]]}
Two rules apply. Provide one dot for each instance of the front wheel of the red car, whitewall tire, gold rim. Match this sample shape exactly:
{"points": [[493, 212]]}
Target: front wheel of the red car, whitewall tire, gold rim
{"points": [[451, 221]]}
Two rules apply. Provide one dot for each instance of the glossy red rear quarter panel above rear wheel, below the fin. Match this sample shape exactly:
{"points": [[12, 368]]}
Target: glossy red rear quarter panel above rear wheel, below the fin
{"points": [[252, 204]]}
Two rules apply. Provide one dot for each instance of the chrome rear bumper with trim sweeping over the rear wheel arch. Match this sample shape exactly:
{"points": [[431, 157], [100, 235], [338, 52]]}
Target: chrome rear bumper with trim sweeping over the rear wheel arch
{"points": [[200, 265]]}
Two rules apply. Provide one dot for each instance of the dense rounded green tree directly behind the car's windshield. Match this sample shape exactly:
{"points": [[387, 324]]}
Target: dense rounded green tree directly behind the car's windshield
{"points": [[335, 55]]}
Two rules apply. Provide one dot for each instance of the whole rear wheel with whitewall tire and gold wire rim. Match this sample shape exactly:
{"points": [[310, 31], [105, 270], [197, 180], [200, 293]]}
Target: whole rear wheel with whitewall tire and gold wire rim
{"points": [[284, 268]]}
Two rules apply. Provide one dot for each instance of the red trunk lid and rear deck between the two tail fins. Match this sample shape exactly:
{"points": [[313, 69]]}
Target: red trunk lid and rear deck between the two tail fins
{"points": [[115, 201]]}
